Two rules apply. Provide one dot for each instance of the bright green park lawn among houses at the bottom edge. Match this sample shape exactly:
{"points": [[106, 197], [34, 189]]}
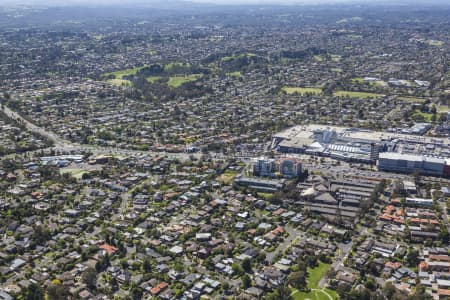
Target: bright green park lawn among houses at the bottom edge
{"points": [[316, 293]]}
